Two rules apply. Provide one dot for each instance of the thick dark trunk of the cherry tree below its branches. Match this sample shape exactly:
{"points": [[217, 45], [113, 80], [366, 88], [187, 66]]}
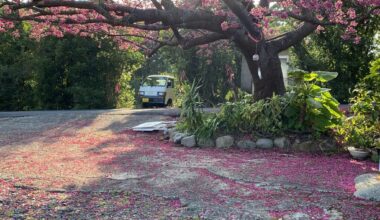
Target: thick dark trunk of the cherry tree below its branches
{"points": [[271, 80]]}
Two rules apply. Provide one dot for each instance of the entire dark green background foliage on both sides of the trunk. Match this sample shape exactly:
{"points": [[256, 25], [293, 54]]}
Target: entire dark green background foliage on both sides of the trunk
{"points": [[82, 72]]}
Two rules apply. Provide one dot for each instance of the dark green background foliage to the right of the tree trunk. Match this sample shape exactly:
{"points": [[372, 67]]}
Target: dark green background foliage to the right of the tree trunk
{"points": [[327, 51]]}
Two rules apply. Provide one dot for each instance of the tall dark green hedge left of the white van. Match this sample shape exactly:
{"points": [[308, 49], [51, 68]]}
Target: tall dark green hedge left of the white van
{"points": [[64, 73]]}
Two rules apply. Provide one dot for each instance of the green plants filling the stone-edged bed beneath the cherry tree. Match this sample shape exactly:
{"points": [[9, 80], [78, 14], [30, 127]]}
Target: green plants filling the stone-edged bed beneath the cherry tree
{"points": [[305, 108]]}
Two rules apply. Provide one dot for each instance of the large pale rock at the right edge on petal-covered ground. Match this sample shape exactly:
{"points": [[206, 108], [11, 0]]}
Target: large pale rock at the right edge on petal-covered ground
{"points": [[368, 186]]}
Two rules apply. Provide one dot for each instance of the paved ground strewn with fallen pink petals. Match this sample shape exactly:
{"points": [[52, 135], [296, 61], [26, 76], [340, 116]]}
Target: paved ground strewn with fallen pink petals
{"points": [[91, 165]]}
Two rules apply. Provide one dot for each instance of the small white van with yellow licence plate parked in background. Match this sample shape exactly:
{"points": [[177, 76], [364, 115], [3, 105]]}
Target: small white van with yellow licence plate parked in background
{"points": [[157, 90]]}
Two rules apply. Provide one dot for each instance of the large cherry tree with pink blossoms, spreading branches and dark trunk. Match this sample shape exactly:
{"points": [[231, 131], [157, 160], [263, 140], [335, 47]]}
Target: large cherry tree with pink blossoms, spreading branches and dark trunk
{"points": [[250, 25]]}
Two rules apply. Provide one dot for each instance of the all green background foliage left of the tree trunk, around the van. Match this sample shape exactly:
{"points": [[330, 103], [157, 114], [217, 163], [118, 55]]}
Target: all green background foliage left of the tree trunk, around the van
{"points": [[81, 73]]}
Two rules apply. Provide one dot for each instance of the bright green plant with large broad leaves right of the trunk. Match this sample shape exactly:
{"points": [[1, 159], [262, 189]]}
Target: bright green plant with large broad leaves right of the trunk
{"points": [[312, 107]]}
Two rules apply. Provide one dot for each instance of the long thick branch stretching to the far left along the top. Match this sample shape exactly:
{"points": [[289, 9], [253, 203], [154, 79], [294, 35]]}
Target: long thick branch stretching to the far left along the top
{"points": [[176, 17]]}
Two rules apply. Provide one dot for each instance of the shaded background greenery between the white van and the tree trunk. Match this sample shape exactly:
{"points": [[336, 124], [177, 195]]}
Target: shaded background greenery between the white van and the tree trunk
{"points": [[206, 67]]}
